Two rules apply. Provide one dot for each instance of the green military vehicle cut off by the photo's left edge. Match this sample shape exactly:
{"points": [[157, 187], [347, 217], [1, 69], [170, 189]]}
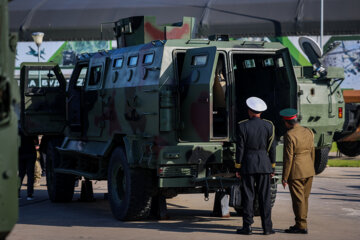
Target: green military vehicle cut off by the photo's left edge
{"points": [[9, 96]]}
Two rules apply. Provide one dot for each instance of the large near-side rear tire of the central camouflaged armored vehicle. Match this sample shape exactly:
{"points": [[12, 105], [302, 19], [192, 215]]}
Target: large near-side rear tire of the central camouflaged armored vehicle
{"points": [[130, 190]]}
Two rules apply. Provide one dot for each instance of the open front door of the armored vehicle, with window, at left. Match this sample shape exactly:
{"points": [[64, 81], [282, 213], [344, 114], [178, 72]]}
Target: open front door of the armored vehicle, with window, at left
{"points": [[42, 99]]}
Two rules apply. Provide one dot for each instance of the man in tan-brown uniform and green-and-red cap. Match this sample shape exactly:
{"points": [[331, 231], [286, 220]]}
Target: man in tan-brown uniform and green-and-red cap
{"points": [[298, 170]]}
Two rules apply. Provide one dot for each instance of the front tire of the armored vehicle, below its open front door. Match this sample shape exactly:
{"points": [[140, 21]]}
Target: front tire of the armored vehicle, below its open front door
{"points": [[60, 186]]}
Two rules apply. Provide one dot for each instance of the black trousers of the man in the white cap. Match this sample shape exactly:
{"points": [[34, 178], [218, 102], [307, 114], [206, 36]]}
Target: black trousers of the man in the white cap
{"points": [[258, 184]]}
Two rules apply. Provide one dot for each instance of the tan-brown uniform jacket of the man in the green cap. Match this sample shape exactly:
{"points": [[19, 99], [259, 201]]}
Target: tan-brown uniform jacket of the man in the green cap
{"points": [[299, 153]]}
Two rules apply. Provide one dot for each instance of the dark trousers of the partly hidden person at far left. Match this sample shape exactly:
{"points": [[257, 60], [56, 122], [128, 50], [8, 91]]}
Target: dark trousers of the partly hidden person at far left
{"points": [[27, 167]]}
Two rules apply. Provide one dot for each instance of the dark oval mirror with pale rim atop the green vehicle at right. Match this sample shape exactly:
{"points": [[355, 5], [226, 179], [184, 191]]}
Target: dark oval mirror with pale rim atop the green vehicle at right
{"points": [[314, 53]]}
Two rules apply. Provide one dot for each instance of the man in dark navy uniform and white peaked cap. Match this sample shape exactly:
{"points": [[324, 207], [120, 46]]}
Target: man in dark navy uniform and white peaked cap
{"points": [[255, 164]]}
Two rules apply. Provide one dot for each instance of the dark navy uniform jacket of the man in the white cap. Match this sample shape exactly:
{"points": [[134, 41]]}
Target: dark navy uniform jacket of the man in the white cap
{"points": [[255, 151]]}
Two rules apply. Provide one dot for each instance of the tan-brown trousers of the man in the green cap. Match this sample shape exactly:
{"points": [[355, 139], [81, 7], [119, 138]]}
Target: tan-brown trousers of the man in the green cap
{"points": [[300, 191]]}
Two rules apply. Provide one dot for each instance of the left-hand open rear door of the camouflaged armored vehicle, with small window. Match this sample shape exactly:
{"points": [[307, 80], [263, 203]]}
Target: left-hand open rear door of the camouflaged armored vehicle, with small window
{"points": [[196, 83]]}
